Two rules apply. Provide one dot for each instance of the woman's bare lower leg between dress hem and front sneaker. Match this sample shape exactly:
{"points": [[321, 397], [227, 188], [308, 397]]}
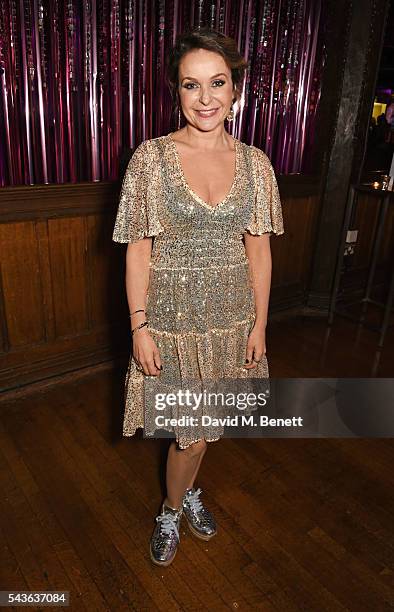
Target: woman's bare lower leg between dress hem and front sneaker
{"points": [[182, 467]]}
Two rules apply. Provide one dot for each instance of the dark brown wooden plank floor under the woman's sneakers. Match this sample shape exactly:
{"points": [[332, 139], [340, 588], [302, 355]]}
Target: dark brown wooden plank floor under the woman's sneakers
{"points": [[303, 524]]}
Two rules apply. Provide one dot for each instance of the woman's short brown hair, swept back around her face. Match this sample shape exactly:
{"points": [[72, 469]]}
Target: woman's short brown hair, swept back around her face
{"points": [[211, 40]]}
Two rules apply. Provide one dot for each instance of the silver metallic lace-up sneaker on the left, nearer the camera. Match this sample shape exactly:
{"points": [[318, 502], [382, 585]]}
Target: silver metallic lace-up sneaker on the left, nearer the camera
{"points": [[165, 537]]}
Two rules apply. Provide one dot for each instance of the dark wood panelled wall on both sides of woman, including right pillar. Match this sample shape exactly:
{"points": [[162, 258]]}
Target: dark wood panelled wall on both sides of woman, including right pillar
{"points": [[62, 297]]}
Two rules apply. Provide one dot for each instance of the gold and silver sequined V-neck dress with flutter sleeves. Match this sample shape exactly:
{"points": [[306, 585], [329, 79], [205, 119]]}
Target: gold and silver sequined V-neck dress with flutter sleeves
{"points": [[200, 303]]}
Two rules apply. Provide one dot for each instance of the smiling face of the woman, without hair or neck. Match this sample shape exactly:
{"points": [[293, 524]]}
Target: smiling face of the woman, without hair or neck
{"points": [[205, 89]]}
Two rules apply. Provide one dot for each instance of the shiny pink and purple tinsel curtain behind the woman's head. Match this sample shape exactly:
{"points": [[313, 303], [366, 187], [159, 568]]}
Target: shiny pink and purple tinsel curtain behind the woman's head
{"points": [[81, 81]]}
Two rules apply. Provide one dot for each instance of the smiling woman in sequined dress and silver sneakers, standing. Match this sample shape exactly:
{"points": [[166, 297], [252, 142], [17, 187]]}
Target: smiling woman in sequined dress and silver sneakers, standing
{"points": [[198, 293]]}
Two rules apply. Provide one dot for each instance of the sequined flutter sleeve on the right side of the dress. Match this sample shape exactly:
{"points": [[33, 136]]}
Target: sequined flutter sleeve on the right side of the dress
{"points": [[266, 208]]}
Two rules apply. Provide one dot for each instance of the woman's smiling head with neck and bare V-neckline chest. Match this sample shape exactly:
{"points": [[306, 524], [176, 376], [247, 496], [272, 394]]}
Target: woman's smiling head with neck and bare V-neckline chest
{"points": [[206, 81]]}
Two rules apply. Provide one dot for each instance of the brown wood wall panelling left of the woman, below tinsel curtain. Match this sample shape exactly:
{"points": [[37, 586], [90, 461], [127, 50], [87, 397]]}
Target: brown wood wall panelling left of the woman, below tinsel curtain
{"points": [[60, 282]]}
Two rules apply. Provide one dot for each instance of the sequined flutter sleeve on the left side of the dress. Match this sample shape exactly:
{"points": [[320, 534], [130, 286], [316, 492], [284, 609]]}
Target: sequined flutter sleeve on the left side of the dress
{"points": [[138, 216]]}
